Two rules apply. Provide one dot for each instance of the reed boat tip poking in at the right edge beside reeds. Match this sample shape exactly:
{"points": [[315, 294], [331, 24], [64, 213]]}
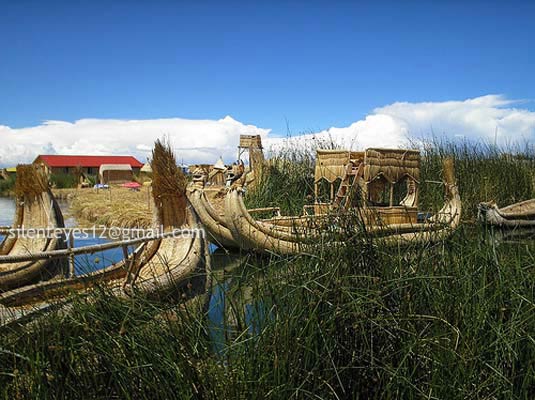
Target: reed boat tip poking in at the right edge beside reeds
{"points": [[518, 215]]}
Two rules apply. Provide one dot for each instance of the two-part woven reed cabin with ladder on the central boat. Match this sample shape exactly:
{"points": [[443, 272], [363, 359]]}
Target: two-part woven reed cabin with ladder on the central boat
{"points": [[383, 182]]}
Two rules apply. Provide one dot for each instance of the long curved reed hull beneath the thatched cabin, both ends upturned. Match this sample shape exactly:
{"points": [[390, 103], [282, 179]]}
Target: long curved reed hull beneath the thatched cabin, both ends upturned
{"points": [[263, 235]]}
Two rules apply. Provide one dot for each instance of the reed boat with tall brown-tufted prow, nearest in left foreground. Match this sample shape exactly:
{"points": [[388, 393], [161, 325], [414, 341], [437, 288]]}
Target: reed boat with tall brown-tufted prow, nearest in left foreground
{"points": [[157, 267]]}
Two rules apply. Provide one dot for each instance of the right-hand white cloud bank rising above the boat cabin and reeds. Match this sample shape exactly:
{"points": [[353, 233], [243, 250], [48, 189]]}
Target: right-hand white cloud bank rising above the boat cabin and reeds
{"points": [[485, 118]]}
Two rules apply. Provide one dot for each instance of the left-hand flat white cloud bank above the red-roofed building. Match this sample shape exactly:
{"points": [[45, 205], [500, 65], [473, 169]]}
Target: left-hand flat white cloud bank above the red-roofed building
{"points": [[193, 140]]}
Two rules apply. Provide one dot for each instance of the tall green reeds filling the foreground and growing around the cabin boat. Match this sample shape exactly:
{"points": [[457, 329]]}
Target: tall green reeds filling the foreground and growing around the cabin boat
{"points": [[452, 320]]}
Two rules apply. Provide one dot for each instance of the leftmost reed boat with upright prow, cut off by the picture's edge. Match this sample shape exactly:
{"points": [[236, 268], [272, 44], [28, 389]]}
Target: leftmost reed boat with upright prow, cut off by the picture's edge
{"points": [[37, 210]]}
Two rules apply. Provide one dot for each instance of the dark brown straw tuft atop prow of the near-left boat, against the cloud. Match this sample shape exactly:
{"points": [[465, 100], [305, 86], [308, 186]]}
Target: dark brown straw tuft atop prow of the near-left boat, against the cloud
{"points": [[168, 187]]}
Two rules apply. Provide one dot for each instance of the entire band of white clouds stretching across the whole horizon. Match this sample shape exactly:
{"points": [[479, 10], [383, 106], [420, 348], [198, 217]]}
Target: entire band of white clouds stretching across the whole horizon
{"points": [[482, 118]]}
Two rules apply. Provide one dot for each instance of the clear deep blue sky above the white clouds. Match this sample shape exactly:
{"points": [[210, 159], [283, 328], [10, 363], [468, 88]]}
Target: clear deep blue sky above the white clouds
{"points": [[313, 64]]}
